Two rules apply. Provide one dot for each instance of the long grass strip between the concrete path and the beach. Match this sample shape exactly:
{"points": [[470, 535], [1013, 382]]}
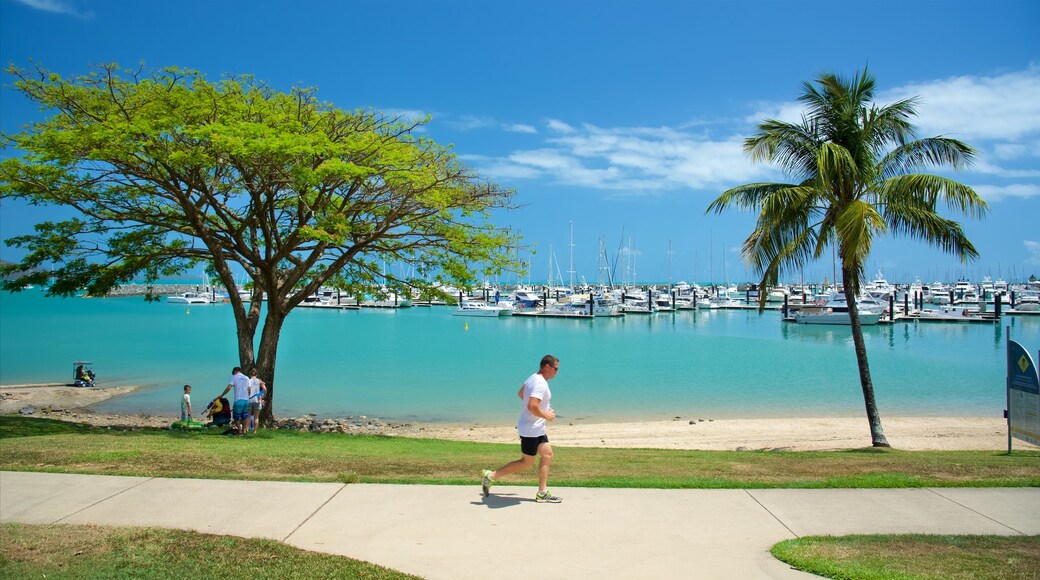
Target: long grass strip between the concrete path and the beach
{"points": [[29, 444]]}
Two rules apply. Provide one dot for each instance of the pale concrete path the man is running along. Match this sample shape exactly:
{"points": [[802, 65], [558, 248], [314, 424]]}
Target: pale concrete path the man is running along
{"points": [[453, 533]]}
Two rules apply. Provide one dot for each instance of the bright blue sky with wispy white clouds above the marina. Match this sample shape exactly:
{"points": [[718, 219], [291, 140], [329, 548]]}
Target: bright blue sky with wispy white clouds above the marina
{"points": [[620, 121]]}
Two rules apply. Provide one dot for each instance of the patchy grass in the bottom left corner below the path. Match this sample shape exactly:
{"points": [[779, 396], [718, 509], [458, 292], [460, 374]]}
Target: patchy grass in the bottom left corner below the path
{"points": [[102, 552]]}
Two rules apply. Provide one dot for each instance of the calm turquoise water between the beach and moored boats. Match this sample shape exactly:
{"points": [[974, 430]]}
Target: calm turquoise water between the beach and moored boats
{"points": [[423, 364]]}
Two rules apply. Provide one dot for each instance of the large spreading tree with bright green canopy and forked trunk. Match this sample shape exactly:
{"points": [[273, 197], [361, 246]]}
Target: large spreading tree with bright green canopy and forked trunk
{"points": [[167, 171]]}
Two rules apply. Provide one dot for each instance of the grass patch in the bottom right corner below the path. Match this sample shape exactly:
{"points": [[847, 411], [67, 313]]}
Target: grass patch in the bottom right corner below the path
{"points": [[913, 557]]}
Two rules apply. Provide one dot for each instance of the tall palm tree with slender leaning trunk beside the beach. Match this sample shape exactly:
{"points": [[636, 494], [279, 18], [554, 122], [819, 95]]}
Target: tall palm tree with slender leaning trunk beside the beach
{"points": [[860, 175]]}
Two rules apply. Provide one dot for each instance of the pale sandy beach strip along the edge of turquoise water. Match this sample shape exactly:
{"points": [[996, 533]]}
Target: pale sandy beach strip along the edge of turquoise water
{"points": [[71, 404]]}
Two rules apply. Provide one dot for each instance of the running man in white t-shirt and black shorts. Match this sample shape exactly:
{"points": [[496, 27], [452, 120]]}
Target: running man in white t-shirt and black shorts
{"points": [[536, 411]]}
